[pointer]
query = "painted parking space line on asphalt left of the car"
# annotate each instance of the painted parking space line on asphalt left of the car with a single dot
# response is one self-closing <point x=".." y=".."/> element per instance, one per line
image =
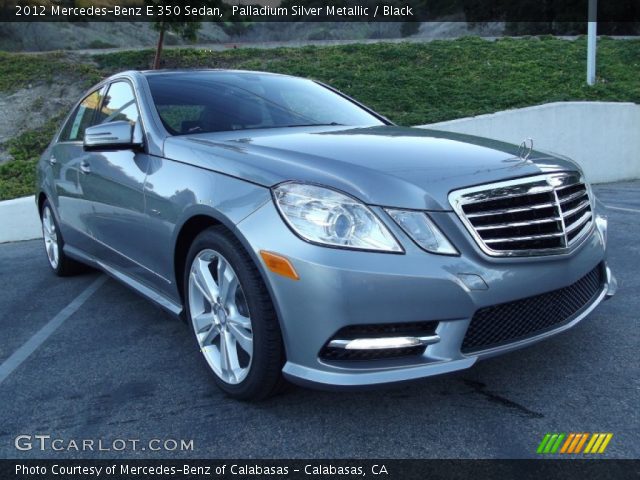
<point x="20" y="355"/>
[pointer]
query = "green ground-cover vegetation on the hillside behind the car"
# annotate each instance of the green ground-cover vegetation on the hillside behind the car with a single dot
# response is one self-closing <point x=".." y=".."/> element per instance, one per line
<point x="411" y="83"/>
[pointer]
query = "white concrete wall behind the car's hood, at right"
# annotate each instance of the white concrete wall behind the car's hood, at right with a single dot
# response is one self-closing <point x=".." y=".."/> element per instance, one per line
<point x="603" y="137"/>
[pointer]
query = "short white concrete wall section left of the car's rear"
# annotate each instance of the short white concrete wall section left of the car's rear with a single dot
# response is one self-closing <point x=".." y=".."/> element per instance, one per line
<point x="19" y="220"/>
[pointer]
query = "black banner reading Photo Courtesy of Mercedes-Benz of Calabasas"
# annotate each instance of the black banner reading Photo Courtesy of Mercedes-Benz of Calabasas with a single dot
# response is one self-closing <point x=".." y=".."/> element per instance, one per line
<point x="320" y="469"/>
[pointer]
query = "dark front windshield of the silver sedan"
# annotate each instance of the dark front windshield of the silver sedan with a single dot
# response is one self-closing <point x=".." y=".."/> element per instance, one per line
<point x="198" y="102"/>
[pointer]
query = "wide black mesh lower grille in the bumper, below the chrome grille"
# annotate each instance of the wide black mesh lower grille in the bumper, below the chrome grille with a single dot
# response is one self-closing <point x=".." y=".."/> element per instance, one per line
<point x="508" y="322"/>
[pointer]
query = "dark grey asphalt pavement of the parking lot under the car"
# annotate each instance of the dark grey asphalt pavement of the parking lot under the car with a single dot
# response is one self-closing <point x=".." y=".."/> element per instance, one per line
<point x="119" y="368"/>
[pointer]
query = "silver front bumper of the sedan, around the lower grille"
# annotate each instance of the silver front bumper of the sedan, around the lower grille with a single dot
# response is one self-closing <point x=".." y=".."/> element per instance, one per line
<point x="340" y="288"/>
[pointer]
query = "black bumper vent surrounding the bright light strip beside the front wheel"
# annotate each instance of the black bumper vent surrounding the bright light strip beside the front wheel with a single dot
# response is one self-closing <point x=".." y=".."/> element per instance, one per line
<point x="417" y="329"/>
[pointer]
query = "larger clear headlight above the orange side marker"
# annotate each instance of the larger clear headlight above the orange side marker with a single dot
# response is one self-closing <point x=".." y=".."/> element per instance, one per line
<point x="324" y="216"/>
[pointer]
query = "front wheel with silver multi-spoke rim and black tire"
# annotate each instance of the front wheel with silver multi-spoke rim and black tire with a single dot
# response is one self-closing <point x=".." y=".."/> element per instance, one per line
<point x="223" y="323"/>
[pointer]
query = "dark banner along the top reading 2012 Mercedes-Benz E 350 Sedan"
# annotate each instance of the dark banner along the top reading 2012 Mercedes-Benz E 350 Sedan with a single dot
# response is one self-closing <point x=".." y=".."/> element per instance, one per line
<point x="476" y="11"/>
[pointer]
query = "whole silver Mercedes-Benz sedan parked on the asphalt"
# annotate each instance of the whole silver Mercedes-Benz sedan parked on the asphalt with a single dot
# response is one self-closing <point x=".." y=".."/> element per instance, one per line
<point x="303" y="236"/>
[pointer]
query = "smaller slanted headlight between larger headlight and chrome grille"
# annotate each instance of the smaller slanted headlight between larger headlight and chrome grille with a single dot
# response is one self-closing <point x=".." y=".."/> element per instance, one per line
<point x="423" y="231"/>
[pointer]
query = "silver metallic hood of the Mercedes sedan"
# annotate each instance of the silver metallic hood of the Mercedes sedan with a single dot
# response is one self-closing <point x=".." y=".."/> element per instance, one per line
<point x="384" y="165"/>
